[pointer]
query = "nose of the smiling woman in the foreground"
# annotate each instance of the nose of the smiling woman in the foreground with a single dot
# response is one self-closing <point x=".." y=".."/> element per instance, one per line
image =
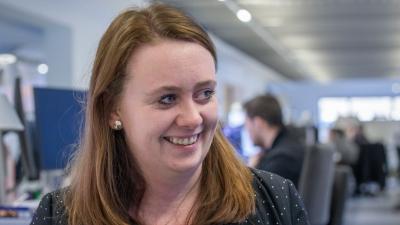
<point x="189" y="115"/>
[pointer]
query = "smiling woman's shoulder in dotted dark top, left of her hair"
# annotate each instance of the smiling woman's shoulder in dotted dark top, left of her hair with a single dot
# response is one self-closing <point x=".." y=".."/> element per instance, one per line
<point x="51" y="209"/>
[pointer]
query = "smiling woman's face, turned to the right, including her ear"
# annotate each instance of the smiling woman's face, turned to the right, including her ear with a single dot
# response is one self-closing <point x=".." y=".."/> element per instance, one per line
<point x="168" y="108"/>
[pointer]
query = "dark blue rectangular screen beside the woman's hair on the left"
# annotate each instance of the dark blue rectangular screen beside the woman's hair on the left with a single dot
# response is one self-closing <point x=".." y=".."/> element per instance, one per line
<point x="59" y="118"/>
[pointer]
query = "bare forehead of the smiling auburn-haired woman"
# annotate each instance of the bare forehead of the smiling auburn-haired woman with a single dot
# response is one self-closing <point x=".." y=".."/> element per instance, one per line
<point x="169" y="61"/>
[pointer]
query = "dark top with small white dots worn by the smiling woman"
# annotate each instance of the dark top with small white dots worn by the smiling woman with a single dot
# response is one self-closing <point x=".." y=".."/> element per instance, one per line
<point x="277" y="203"/>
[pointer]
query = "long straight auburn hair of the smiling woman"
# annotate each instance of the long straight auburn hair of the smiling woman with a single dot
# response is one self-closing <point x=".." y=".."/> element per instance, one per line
<point x="105" y="179"/>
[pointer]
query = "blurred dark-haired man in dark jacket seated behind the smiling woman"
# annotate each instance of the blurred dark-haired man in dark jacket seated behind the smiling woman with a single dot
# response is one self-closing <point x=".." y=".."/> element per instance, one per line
<point x="283" y="152"/>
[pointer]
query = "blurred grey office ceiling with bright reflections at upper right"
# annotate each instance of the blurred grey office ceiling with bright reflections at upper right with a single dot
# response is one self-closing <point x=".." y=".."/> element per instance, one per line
<point x="320" y="40"/>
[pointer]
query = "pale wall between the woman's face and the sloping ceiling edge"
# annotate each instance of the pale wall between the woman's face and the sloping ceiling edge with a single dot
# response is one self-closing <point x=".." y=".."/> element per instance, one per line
<point x="244" y="76"/>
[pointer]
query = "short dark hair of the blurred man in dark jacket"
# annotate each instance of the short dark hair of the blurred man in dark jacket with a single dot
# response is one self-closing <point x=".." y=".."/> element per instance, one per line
<point x="266" y="107"/>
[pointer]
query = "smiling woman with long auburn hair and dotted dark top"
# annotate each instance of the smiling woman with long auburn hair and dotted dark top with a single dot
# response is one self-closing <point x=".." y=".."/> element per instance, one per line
<point x="152" y="152"/>
